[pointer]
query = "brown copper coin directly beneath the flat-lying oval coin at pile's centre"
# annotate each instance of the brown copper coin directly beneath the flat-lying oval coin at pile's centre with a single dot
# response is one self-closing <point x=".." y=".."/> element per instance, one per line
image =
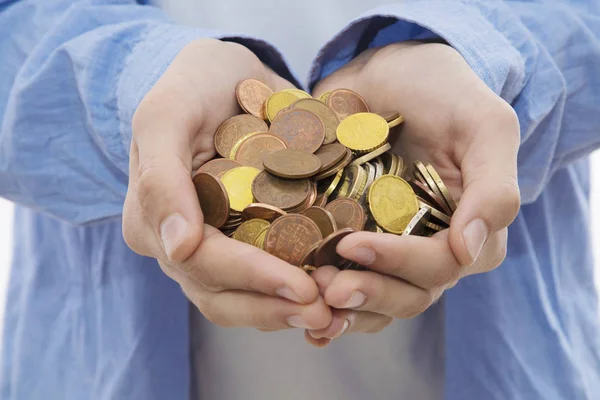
<point x="282" y="193"/>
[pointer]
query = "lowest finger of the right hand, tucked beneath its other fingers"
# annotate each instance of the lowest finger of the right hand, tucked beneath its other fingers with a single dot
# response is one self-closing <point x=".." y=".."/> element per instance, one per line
<point x="349" y="321"/>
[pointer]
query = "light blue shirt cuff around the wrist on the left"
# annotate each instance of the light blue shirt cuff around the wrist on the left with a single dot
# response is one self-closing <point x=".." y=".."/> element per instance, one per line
<point x="154" y="52"/>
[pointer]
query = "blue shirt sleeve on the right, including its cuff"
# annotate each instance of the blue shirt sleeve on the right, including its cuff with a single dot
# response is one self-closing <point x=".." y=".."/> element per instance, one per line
<point x="543" y="57"/>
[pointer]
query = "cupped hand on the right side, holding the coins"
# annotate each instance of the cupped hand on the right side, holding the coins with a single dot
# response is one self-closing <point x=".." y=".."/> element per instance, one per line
<point x="471" y="136"/>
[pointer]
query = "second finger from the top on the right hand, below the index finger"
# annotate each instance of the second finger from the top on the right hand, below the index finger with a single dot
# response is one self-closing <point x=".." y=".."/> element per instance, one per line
<point x="381" y="294"/>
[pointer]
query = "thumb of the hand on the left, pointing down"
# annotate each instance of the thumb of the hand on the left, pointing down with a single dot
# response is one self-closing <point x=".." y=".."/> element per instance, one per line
<point x="165" y="192"/>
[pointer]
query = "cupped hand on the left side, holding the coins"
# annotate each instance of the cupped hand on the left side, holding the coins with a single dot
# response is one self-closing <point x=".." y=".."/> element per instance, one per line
<point x="231" y="283"/>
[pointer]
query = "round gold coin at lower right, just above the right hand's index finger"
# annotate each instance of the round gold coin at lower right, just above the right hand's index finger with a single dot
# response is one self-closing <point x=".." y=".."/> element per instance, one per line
<point x="392" y="203"/>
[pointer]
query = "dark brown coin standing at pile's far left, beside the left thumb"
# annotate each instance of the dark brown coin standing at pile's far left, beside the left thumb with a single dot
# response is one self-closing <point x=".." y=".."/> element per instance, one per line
<point x="213" y="198"/>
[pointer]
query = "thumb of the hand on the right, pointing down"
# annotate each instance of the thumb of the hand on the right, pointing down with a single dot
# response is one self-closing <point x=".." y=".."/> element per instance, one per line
<point x="491" y="198"/>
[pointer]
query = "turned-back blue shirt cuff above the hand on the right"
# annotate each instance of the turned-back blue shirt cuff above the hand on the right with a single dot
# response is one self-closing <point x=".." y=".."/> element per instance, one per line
<point x="469" y="27"/>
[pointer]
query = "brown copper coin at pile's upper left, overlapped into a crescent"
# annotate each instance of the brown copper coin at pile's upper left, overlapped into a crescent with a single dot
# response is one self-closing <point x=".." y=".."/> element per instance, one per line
<point x="235" y="128"/>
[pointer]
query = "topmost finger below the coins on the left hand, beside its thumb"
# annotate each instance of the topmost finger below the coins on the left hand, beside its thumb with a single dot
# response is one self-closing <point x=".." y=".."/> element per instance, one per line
<point x="221" y="263"/>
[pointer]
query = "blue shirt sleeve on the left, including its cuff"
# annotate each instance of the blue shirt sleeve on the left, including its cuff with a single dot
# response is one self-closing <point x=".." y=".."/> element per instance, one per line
<point x="72" y="74"/>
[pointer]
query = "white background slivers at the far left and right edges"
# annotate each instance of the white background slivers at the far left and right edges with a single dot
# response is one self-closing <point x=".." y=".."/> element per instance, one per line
<point x="6" y="227"/>
